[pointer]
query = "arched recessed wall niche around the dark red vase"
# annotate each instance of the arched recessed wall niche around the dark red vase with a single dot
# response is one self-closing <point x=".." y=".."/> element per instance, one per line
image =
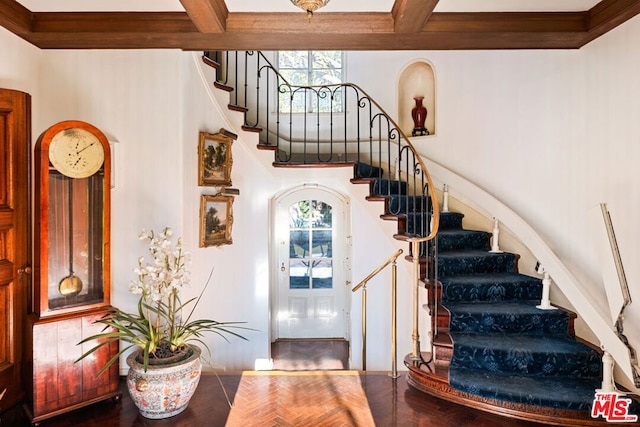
<point x="417" y="79"/>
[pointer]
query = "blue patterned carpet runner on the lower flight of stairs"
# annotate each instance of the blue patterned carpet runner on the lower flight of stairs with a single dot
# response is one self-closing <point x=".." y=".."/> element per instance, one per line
<point x="504" y="347"/>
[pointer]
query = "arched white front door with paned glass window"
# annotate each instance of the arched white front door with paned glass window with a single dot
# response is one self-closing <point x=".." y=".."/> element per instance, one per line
<point x="312" y="259"/>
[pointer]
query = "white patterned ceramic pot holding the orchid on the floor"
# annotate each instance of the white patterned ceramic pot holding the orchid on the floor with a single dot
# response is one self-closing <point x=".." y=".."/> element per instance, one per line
<point x="164" y="390"/>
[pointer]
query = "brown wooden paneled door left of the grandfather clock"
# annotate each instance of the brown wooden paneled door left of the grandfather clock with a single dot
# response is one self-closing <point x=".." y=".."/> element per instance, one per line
<point x="15" y="238"/>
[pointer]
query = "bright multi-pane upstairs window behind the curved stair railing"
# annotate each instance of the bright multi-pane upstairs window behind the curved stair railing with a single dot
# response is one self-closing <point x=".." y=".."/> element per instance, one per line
<point x="311" y="68"/>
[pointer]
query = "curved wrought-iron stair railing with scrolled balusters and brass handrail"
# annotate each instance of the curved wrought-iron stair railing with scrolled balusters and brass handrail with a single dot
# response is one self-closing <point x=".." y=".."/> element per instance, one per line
<point x="344" y="126"/>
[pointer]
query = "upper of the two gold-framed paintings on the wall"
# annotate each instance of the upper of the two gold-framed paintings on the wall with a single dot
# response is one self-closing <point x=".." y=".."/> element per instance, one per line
<point x="215" y="158"/>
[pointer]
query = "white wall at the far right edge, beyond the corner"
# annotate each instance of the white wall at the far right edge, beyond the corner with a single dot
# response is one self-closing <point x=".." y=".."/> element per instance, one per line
<point x="612" y="67"/>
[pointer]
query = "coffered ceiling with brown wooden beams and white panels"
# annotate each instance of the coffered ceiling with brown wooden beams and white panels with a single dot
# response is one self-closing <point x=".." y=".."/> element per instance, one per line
<point x="342" y="24"/>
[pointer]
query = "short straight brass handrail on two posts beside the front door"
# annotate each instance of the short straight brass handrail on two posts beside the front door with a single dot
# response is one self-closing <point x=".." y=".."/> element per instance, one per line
<point x="394" y="316"/>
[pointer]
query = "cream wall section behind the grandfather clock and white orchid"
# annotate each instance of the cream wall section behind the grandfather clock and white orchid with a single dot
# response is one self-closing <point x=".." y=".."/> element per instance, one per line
<point x="131" y="97"/>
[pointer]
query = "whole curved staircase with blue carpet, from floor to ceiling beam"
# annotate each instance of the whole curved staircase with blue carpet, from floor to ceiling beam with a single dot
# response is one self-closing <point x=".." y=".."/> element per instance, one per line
<point x="493" y="349"/>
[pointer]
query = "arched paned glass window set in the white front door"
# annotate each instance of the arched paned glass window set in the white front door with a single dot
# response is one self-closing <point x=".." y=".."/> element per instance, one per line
<point x="310" y="245"/>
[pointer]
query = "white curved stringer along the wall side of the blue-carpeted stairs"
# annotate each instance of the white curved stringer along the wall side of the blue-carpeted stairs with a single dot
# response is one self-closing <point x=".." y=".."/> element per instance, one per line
<point x="598" y="322"/>
